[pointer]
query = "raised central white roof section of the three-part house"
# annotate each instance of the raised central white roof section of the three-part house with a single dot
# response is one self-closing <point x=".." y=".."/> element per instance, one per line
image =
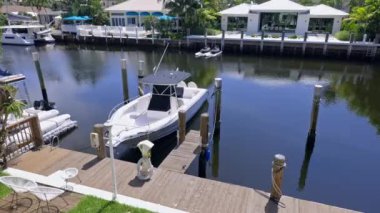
<point x="279" y="6"/>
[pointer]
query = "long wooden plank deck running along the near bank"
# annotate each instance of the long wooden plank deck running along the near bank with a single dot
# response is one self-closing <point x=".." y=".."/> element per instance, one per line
<point x="169" y="188"/>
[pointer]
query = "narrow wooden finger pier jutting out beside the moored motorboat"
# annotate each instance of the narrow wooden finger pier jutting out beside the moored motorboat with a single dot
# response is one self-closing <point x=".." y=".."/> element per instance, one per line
<point x="180" y="158"/>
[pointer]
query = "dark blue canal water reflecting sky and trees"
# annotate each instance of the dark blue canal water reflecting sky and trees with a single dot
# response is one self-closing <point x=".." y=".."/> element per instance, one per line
<point x="266" y="105"/>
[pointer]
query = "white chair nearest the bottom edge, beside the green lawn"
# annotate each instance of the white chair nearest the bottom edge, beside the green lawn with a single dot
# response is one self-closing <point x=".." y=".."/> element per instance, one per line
<point x="47" y="194"/>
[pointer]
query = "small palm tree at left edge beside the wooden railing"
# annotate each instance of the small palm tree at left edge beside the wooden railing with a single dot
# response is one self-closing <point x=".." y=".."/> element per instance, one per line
<point x="8" y="105"/>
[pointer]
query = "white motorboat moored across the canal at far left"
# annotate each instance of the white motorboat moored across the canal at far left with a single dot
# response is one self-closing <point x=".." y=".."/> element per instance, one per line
<point x="26" y="35"/>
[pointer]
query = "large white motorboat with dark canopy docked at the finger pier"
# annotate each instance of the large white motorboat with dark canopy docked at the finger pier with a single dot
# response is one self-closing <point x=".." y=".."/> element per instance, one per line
<point x="155" y="114"/>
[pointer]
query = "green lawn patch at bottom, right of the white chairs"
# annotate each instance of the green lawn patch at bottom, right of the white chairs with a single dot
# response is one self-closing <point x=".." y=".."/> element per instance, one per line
<point x="92" y="204"/>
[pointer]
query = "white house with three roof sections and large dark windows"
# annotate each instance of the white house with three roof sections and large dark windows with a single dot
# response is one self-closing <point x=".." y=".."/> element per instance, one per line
<point x="278" y="16"/>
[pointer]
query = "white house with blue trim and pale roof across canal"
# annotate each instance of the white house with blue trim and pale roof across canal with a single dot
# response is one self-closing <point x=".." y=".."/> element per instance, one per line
<point x="133" y="12"/>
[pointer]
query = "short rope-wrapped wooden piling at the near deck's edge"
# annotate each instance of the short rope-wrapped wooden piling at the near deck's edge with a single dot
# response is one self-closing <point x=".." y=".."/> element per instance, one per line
<point x="278" y="166"/>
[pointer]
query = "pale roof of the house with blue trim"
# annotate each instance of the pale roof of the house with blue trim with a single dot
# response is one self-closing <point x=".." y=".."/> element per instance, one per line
<point x="138" y="5"/>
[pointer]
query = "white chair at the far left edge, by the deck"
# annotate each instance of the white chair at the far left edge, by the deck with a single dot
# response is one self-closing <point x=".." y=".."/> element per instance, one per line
<point x="18" y="185"/>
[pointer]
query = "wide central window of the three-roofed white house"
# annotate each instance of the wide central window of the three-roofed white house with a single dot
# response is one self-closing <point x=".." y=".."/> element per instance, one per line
<point x="278" y="22"/>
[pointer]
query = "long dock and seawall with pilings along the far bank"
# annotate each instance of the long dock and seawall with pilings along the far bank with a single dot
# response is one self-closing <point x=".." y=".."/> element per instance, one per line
<point x="314" y="46"/>
